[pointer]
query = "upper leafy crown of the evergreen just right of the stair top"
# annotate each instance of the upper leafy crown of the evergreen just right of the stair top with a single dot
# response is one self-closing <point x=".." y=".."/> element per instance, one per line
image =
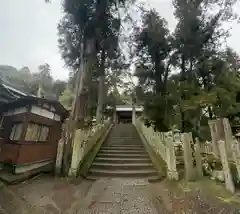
<point x="152" y="51"/>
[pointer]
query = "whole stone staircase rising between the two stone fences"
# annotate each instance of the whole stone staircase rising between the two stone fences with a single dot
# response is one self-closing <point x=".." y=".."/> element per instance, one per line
<point x="122" y="155"/>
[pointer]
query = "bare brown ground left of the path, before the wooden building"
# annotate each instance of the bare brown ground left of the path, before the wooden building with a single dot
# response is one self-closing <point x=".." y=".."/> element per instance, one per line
<point x="44" y="194"/>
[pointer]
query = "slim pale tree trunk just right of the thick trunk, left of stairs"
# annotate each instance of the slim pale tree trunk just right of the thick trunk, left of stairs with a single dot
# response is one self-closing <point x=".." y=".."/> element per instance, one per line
<point x="101" y="90"/>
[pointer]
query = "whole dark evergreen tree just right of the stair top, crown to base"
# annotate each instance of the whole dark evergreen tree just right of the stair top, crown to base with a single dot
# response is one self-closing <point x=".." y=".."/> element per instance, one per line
<point x="153" y="54"/>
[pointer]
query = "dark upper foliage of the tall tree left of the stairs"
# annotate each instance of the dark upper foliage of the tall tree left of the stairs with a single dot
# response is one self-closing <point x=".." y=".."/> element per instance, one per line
<point x="88" y="19"/>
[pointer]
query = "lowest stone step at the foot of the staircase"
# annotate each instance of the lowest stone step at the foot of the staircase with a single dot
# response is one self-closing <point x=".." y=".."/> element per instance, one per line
<point x="123" y="173"/>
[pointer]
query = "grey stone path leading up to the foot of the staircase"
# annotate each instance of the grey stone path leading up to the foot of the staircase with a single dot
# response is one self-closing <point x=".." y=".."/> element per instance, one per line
<point x="117" y="196"/>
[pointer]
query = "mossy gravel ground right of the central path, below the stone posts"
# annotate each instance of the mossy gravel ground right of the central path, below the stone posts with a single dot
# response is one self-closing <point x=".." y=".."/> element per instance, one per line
<point x="198" y="197"/>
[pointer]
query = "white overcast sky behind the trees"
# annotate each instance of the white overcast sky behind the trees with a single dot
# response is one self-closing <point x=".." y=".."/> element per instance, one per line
<point x="28" y="35"/>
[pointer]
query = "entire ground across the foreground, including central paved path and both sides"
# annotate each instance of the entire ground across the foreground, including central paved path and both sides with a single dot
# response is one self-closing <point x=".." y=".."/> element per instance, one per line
<point x="53" y="195"/>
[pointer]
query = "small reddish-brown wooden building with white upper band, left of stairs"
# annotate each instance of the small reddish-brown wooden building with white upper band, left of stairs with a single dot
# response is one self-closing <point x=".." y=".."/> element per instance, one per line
<point x="31" y="128"/>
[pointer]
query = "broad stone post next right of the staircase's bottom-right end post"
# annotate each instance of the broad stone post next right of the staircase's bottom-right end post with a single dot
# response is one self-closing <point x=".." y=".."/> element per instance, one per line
<point x="188" y="158"/>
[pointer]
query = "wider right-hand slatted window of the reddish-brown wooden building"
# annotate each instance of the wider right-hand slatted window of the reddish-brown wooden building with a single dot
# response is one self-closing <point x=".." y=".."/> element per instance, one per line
<point x="37" y="132"/>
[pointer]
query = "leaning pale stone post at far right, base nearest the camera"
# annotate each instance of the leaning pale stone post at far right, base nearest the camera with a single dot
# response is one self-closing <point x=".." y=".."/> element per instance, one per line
<point x="226" y="169"/>
